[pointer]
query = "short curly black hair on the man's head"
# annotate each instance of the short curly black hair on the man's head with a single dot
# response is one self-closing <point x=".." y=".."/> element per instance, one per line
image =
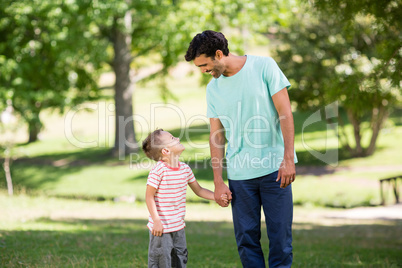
<point x="207" y="42"/>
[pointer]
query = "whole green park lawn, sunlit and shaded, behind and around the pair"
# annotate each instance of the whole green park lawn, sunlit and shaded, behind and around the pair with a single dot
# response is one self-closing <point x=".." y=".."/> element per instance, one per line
<point x="56" y="218"/>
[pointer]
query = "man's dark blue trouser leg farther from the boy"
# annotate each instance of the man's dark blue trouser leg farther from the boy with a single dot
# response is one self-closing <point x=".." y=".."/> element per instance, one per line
<point x="278" y="209"/>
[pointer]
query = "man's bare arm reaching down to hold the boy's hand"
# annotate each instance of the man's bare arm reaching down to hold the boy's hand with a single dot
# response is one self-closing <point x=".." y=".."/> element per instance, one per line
<point x="217" y="147"/>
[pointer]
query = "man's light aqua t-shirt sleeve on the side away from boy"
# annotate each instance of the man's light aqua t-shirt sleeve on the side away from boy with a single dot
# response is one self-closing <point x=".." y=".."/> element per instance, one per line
<point x="274" y="77"/>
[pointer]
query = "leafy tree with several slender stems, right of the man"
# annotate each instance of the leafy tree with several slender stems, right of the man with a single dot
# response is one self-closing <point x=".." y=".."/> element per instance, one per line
<point x="356" y="64"/>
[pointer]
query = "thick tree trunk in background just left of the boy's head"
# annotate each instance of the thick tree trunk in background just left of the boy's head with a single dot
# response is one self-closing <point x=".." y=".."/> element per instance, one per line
<point x="125" y="141"/>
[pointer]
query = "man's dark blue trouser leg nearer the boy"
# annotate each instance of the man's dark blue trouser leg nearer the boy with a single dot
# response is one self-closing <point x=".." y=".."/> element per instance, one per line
<point x="246" y="210"/>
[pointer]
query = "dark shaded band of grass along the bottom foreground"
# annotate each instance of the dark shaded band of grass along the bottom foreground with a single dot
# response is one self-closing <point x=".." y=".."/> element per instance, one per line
<point x="124" y="243"/>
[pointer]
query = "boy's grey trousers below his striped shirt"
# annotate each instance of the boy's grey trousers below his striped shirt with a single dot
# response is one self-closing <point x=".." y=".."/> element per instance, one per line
<point x="168" y="250"/>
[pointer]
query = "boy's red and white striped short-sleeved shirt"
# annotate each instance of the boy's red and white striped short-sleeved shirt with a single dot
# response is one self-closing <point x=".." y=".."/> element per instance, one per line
<point x="170" y="197"/>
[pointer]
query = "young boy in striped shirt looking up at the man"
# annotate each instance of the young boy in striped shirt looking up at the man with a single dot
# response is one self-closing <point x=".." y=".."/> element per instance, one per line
<point x="166" y="200"/>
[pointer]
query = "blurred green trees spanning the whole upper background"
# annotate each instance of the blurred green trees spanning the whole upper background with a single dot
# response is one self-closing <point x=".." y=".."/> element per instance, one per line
<point x="52" y="53"/>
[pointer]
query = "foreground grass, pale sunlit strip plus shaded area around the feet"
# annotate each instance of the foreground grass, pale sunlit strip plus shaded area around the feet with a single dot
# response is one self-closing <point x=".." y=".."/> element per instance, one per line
<point x="52" y="232"/>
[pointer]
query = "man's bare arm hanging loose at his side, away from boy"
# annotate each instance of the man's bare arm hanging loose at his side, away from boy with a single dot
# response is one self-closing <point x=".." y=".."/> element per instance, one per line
<point x="287" y="170"/>
